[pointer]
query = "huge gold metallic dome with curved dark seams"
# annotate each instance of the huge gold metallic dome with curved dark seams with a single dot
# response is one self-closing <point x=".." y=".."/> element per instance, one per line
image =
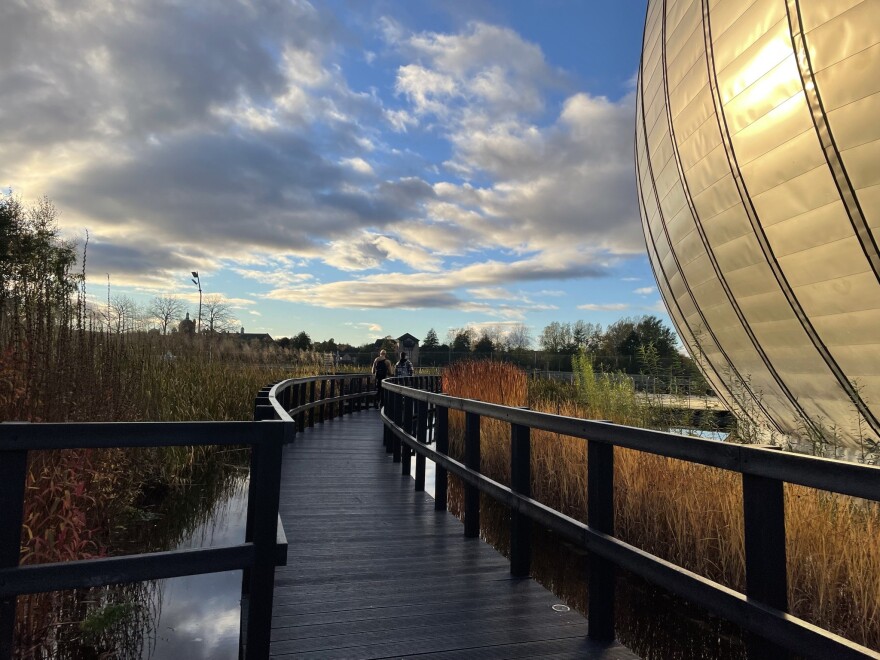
<point x="758" y="166"/>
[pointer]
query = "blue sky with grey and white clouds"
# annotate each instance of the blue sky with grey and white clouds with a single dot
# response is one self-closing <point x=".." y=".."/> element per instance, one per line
<point x="352" y="169"/>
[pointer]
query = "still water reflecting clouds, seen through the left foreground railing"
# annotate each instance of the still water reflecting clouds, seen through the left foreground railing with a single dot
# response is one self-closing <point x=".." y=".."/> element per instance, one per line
<point x="199" y="615"/>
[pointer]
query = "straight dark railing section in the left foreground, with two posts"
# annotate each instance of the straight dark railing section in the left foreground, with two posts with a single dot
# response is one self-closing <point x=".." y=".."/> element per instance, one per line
<point x="264" y="548"/>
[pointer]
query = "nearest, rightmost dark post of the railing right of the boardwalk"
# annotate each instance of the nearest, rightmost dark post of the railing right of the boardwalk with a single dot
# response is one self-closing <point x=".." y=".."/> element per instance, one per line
<point x="764" y="528"/>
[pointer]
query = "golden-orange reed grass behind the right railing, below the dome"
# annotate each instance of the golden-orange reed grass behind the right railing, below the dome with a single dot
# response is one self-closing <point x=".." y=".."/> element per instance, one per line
<point x="685" y="513"/>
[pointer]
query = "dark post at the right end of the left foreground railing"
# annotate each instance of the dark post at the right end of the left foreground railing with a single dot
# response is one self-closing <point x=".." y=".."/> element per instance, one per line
<point x="267" y="475"/>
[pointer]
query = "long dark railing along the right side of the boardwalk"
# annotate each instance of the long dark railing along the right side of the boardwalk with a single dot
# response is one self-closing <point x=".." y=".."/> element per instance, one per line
<point x="416" y="414"/>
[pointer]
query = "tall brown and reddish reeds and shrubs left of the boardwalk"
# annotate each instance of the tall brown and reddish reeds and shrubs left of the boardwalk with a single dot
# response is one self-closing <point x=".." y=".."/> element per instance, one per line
<point x="59" y="362"/>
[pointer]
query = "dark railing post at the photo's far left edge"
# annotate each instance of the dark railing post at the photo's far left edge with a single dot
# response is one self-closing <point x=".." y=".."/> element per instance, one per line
<point x="13" y="473"/>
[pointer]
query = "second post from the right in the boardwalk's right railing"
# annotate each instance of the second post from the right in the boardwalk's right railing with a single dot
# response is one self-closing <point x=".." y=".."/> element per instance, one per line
<point x="600" y="517"/>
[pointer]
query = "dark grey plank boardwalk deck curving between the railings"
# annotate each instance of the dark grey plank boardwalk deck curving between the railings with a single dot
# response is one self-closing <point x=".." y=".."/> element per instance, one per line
<point x="375" y="572"/>
